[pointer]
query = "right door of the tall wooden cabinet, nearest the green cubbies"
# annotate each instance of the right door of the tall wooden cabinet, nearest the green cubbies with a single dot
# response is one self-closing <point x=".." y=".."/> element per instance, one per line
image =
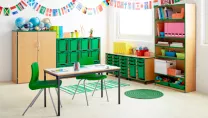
<point x="46" y="53"/>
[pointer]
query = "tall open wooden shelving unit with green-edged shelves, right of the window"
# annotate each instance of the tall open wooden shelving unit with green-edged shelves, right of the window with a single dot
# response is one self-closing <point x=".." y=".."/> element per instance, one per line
<point x="188" y="64"/>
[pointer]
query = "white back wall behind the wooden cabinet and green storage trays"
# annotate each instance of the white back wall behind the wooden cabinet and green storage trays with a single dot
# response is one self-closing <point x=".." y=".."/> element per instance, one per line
<point x="71" y="21"/>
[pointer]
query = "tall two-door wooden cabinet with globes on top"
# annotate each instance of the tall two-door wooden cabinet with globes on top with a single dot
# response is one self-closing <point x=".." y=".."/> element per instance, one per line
<point x="29" y="47"/>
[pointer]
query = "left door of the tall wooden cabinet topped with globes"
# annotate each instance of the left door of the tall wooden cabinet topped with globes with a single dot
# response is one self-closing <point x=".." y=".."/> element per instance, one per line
<point x="27" y="54"/>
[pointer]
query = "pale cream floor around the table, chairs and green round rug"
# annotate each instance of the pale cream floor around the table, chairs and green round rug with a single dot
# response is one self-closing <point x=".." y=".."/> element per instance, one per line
<point x="15" y="98"/>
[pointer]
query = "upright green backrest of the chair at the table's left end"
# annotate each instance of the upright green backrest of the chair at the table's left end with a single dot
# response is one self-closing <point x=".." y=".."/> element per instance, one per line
<point x="35" y="74"/>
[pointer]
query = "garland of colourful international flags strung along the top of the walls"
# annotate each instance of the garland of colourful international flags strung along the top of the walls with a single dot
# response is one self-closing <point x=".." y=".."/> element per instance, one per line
<point x="34" y="4"/>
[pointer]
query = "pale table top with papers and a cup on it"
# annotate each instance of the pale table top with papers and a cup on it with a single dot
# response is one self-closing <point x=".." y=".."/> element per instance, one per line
<point x="96" y="68"/>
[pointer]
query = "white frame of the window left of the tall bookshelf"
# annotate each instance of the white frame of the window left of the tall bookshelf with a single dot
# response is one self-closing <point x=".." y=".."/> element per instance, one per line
<point x="145" y="38"/>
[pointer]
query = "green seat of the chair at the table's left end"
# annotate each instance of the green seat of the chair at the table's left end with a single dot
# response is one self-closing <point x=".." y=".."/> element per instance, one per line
<point x="44" y="84"/>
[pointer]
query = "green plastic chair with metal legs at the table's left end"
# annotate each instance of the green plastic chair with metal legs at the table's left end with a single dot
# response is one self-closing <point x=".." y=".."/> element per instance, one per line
<point x="35" y="84"/>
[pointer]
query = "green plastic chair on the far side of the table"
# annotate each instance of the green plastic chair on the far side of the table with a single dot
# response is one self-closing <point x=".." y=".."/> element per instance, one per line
<point x="89" y="77"/>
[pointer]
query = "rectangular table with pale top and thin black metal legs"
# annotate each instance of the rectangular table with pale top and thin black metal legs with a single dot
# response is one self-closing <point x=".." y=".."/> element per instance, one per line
<point x="67" y="72"/>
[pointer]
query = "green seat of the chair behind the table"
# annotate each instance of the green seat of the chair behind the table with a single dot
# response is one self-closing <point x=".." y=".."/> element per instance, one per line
<point x="92" y="77"/>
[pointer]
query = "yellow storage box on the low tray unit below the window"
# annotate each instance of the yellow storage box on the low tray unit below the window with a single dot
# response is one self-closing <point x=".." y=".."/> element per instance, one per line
<point x="122" y="48"/>
